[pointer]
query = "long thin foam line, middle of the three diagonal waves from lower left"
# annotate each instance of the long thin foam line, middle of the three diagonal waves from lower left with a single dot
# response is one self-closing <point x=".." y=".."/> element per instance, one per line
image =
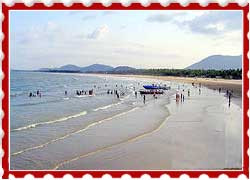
<point x="74" y="132"/>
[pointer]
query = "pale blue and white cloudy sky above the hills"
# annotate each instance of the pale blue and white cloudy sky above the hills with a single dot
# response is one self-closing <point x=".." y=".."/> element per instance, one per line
<point x="141" y="39"/>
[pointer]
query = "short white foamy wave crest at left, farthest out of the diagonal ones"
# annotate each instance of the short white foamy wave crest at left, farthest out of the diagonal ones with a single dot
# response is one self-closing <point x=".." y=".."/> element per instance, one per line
<point x="50" y="122"/>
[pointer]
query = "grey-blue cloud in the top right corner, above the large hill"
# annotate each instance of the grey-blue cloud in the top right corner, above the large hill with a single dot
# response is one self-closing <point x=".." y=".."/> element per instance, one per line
<point x="214" y="23"/>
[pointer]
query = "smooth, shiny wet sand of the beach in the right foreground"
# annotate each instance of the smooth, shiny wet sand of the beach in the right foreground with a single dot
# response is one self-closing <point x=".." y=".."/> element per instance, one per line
<point x="200" y="133"/>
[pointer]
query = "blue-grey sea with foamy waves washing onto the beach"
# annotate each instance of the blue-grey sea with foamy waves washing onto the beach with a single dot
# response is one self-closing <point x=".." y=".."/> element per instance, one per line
<point x="48" y="129"/>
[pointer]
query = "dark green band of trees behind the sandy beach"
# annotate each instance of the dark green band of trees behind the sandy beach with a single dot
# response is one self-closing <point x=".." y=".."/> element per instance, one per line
<point x="226" y="74"/>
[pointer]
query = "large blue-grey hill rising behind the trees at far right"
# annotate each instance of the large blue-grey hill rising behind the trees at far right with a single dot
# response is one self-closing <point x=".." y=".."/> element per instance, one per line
<point x="218" y="62"/>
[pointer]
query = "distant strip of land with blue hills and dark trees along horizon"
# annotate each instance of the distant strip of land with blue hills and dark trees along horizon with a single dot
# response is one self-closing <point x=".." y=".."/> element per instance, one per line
<point x="228" y="67"/>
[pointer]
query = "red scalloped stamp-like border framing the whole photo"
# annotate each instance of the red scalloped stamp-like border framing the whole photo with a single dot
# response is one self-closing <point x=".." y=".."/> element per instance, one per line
<point x="119" y="6"/>
